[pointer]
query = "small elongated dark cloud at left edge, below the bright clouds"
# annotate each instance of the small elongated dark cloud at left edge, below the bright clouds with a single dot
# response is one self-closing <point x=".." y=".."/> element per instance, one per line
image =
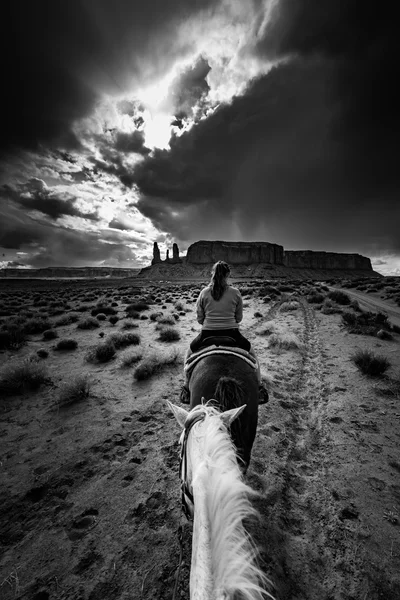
<point x="35" y="195"/>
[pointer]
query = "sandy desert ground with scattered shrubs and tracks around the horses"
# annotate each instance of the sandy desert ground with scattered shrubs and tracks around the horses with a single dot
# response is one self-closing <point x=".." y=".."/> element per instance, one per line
<point x="90" y="498"/>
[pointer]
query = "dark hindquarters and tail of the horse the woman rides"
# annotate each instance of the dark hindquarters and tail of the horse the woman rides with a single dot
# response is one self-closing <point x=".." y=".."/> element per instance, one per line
<point x="231" y="382"/>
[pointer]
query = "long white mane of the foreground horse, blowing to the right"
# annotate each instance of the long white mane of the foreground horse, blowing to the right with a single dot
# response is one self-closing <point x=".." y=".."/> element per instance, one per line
<point x="234" y="562"/>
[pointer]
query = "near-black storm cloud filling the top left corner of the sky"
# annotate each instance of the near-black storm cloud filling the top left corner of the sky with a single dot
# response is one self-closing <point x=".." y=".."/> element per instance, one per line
<point x="59" y="55"/>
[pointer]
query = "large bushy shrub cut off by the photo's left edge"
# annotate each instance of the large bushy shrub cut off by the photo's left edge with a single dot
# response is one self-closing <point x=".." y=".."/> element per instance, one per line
<point x="24" y="374"/>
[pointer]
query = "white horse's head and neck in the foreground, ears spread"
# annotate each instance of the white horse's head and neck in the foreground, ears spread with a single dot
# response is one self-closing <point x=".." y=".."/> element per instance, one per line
<point x="224" y="562"/>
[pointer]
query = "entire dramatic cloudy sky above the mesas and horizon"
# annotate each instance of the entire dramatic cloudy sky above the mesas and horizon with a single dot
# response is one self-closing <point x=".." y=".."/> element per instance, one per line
<point x="127" y="123"/>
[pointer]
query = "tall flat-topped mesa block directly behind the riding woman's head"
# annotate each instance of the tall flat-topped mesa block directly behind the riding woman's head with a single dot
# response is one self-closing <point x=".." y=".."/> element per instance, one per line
<point x="235" y="253"/>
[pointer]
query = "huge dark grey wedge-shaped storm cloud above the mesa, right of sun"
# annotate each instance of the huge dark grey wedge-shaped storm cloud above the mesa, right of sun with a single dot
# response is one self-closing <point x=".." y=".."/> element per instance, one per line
<point x="275" y="162"/>
